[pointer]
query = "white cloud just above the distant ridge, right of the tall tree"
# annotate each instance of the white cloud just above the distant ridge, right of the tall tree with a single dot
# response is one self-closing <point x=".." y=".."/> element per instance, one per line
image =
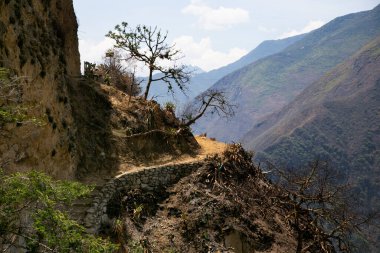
<point x="202" y="54"/>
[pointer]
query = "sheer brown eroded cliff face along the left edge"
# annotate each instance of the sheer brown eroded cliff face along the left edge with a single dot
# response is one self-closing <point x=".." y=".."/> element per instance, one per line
<point x="38" y="41"/>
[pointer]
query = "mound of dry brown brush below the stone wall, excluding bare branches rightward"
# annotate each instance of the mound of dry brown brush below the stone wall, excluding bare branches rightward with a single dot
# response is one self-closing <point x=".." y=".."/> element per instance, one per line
<point x="220" y="208"/>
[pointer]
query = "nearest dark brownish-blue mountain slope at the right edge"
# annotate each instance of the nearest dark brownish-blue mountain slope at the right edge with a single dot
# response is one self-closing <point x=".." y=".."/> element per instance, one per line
<point x="336" y="118"/>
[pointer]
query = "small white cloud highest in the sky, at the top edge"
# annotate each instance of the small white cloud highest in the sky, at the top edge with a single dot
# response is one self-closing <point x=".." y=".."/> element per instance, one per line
<point x="218" y="18"/>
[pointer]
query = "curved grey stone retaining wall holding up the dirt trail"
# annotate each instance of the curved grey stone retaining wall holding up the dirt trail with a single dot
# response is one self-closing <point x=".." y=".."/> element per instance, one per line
<point x="148" y="179"/>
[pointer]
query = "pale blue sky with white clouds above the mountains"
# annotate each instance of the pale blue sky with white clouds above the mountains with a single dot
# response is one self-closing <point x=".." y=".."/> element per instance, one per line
<point x="210" y="33"/>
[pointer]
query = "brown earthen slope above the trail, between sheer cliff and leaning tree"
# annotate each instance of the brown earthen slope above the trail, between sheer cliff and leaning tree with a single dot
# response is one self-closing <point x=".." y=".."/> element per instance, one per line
<point x="120" y="131"/>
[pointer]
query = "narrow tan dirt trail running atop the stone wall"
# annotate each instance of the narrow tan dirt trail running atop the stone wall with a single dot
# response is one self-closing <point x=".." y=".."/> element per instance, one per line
<point x="209" y="147"/>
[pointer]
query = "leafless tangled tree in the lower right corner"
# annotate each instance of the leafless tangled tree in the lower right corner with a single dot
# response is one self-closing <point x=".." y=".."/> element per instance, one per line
<point x="321" y="209"/>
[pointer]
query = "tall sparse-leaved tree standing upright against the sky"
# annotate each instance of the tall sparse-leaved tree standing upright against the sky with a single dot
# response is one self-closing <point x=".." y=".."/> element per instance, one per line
<point x="148" y="45"/>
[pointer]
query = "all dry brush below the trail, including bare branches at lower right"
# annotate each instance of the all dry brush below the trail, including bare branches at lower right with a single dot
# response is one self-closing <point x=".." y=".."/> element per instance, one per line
<point x="228" y="205"/>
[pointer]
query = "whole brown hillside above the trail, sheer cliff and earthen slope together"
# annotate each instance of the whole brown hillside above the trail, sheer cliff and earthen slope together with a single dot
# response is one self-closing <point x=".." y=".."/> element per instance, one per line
<point x="86" y="127"/>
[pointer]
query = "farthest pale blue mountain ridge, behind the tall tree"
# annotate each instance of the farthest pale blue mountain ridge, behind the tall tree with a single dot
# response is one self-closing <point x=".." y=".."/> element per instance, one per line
<point x="201" y="81"/>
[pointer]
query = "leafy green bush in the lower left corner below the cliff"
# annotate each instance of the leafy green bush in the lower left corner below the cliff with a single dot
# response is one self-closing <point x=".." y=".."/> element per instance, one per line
<point x="29" y="210"/>
